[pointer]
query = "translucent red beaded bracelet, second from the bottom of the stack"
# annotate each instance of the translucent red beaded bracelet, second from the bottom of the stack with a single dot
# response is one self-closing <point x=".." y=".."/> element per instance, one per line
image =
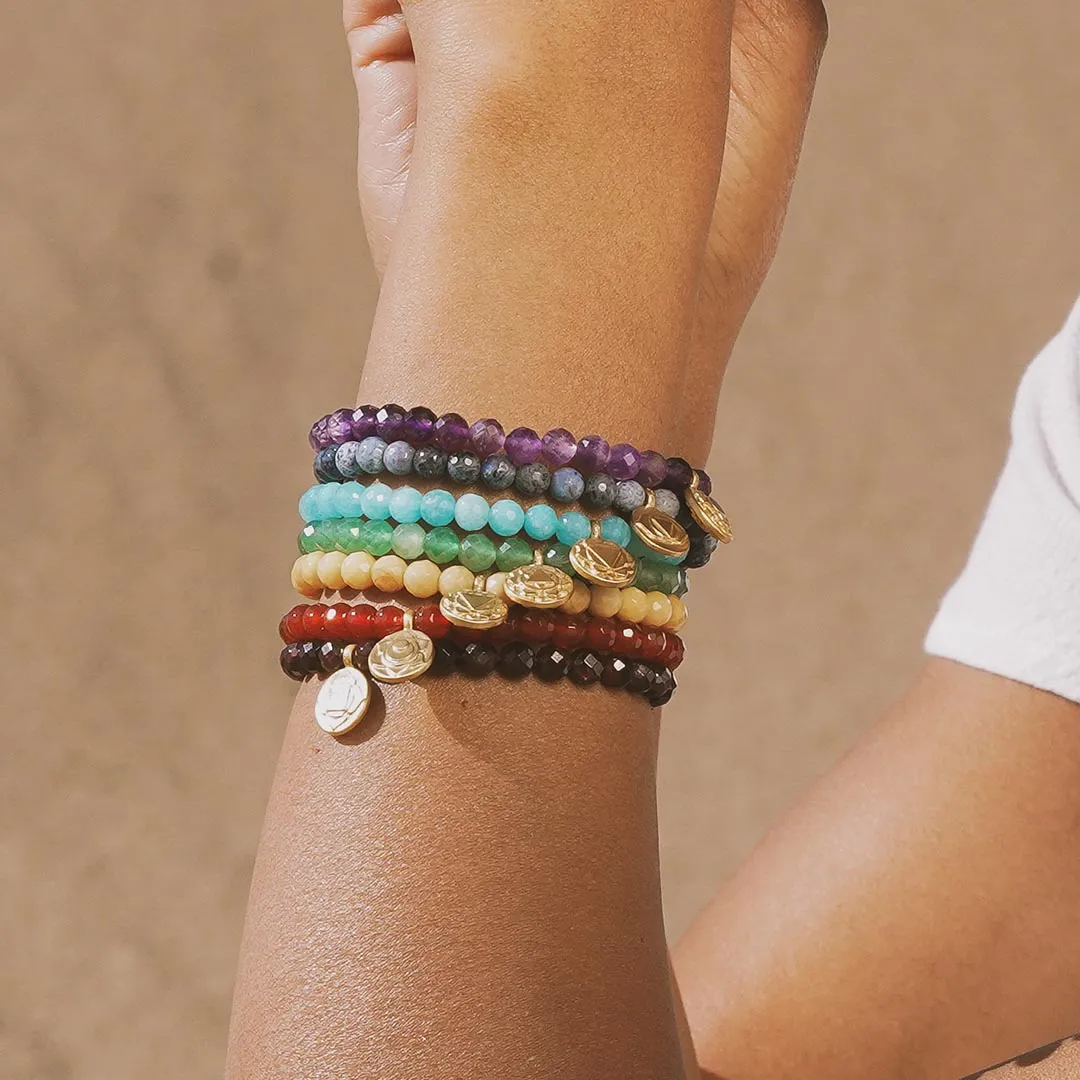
<point x="364" y="623"/>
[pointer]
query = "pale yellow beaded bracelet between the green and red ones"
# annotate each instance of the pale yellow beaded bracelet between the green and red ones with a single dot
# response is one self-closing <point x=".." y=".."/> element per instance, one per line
<point x="317" y="573"/>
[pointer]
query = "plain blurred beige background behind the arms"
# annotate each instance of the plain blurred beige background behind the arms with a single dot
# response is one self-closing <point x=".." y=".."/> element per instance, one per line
<point x="184" y="287"/>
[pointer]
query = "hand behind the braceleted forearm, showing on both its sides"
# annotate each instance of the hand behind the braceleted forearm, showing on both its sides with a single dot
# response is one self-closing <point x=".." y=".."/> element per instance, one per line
<point x="776" y="48"/>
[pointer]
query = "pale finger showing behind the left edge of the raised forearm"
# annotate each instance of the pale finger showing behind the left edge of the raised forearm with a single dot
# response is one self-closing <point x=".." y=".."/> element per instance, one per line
<point x="385" y="76"/>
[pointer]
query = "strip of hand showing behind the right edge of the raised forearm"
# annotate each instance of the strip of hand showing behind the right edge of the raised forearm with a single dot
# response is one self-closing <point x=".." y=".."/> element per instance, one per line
<point x="776" y="50"/>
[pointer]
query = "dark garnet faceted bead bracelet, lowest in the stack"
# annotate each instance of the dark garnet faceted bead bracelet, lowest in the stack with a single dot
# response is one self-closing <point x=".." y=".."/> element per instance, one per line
<point x="655" y="683"/>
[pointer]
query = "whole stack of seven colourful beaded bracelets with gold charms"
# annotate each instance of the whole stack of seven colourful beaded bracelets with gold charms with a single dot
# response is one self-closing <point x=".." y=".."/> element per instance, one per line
<point x="510" y="604"/>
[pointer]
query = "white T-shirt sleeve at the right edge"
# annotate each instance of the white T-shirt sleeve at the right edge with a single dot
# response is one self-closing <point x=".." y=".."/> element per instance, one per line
<point x="1016" y="609"/>
